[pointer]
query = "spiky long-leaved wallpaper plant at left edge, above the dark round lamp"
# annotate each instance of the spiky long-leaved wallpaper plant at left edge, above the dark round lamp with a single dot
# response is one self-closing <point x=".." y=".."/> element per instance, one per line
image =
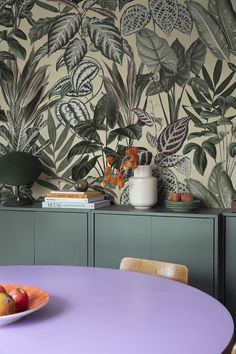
<point x="26" y="101"/>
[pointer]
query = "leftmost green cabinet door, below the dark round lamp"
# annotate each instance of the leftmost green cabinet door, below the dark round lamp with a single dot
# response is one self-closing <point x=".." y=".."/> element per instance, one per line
<point x="16" y="237"/>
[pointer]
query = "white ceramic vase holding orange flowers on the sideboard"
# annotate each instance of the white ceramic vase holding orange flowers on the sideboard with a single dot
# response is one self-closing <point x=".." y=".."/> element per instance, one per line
<point x="143" y="188"/>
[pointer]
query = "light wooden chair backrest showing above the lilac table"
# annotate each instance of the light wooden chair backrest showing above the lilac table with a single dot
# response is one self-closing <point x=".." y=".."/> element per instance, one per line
<point x="178" y="272"/>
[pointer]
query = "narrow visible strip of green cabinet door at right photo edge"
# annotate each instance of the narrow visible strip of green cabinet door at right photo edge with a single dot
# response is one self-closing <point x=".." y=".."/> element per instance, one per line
<point x="230" y="264"/>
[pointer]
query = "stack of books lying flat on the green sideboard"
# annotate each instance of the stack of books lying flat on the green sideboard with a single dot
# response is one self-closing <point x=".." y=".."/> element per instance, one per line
<point x="73" y="199"/>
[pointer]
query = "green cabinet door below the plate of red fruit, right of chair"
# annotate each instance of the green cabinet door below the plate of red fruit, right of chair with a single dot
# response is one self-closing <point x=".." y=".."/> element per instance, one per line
<point x="189" y="241"/>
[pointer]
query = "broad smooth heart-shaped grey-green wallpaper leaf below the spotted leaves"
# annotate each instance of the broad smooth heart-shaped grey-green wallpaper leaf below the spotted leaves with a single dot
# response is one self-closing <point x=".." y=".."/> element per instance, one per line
<point x="155" y="51"/>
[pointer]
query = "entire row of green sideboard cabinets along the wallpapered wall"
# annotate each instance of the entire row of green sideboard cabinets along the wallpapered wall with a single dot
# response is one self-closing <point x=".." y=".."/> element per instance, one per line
<point x="33" y="235"/>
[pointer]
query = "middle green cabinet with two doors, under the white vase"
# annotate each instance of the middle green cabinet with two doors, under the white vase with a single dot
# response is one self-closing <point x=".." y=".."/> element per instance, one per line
<point x="188" y="238"/>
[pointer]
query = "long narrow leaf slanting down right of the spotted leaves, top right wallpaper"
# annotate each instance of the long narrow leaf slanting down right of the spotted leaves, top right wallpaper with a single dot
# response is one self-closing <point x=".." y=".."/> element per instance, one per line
<point x="209" y="30"/>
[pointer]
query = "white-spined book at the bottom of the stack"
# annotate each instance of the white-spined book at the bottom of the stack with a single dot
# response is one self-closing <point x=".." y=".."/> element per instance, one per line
<point x="95" y="205"/>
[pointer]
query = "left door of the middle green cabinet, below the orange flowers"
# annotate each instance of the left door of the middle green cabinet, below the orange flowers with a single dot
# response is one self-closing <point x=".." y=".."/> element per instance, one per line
<point x="118" y="236"/>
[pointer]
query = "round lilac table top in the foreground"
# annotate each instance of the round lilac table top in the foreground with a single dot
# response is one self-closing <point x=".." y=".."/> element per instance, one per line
<point x="104" y="311"/>
